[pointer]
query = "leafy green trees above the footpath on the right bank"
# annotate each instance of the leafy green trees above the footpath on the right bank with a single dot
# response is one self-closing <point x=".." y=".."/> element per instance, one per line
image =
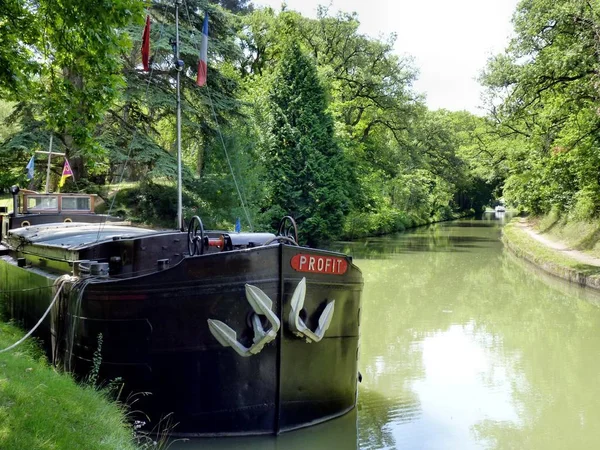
<point x="544" y="98"/>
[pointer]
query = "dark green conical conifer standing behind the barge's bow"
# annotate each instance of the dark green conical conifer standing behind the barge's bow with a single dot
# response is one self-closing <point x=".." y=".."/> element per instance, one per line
<point x="306" y="168"/>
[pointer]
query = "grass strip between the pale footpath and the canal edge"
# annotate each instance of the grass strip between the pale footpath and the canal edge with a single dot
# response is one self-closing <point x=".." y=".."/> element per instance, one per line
<point x="552" y="261"/>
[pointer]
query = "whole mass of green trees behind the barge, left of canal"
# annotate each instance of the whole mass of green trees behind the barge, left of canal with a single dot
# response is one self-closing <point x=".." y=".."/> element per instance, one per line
<point x="301" y="116"/>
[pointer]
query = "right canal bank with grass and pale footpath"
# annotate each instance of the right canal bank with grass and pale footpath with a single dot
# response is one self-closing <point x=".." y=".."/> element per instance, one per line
<point x="566" y="250"/>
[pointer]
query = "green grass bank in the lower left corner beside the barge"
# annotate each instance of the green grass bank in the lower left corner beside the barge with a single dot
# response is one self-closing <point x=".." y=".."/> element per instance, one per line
<point x="45" y="410"/>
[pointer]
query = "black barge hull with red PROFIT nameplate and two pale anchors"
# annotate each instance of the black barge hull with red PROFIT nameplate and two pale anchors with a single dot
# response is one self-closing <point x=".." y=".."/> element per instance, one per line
<point x="252" y="341"/>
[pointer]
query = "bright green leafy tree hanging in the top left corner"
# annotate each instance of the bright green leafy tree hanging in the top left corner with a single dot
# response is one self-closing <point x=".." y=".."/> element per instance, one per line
<point x="68" y="69"/>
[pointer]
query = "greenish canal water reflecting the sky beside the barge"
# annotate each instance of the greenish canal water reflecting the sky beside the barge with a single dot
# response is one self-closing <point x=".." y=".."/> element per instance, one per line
<point x="463" y="346"/>
